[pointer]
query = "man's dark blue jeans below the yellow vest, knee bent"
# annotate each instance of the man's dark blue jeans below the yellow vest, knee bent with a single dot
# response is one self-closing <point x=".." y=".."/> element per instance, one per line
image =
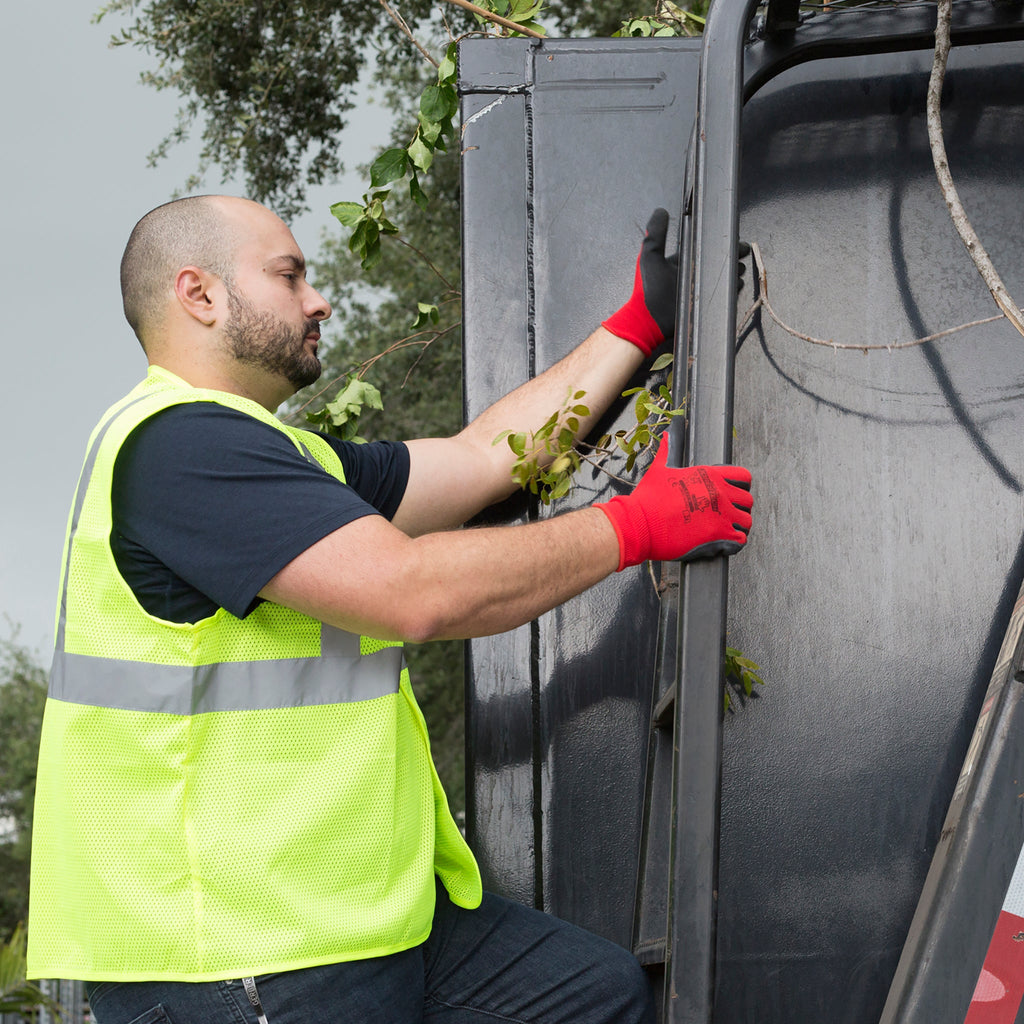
<point x="501" y="963"/>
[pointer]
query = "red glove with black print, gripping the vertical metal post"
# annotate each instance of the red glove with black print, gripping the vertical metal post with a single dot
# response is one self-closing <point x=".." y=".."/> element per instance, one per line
<point x="688" y="514"/>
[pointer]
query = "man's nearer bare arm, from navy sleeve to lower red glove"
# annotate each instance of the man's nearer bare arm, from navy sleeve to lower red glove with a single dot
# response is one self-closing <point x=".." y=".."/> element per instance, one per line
<point x="448" y="585"/>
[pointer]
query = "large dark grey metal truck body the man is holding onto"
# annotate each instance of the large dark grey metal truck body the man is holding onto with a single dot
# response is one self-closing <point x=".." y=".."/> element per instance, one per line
<point x="841" y="844"/>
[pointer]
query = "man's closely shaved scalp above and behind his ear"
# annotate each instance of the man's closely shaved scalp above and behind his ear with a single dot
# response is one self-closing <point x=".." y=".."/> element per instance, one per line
<point x="199" y="232"/>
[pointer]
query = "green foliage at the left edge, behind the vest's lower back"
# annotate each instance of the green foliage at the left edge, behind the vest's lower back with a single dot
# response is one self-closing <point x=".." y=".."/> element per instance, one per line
<point x="23" y="694"/>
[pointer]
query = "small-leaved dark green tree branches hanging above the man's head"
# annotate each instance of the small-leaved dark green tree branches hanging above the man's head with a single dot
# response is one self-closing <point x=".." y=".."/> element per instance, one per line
<point x="270" y="81"/>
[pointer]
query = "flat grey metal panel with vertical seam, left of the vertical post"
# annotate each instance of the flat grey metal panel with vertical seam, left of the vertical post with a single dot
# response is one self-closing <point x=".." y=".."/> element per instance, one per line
<point x="567" y="152"/>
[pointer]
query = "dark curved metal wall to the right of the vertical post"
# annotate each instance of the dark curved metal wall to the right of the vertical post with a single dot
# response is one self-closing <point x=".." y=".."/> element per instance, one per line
<point x="889" y="518"/>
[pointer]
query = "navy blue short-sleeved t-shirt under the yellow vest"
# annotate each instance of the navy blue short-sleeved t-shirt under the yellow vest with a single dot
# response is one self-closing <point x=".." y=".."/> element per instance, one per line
<point x="209" y="504"/>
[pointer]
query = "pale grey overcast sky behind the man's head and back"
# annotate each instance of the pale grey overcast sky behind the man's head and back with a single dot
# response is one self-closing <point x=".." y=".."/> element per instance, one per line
<point x="77" y="127"/>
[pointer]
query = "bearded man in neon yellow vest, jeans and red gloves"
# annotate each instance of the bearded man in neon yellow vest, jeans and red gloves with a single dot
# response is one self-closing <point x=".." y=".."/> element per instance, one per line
<point x="237" y="814"/>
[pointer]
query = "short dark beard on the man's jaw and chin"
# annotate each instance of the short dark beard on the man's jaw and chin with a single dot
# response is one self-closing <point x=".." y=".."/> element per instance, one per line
<point x="261" y="339"/>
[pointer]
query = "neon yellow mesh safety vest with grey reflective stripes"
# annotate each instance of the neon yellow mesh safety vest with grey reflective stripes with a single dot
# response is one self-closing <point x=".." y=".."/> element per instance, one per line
<point x="227" y="798"/>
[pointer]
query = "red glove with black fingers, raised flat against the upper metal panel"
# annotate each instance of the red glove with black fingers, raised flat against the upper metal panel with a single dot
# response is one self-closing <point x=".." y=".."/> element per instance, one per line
<point x="650" y="316"/>
